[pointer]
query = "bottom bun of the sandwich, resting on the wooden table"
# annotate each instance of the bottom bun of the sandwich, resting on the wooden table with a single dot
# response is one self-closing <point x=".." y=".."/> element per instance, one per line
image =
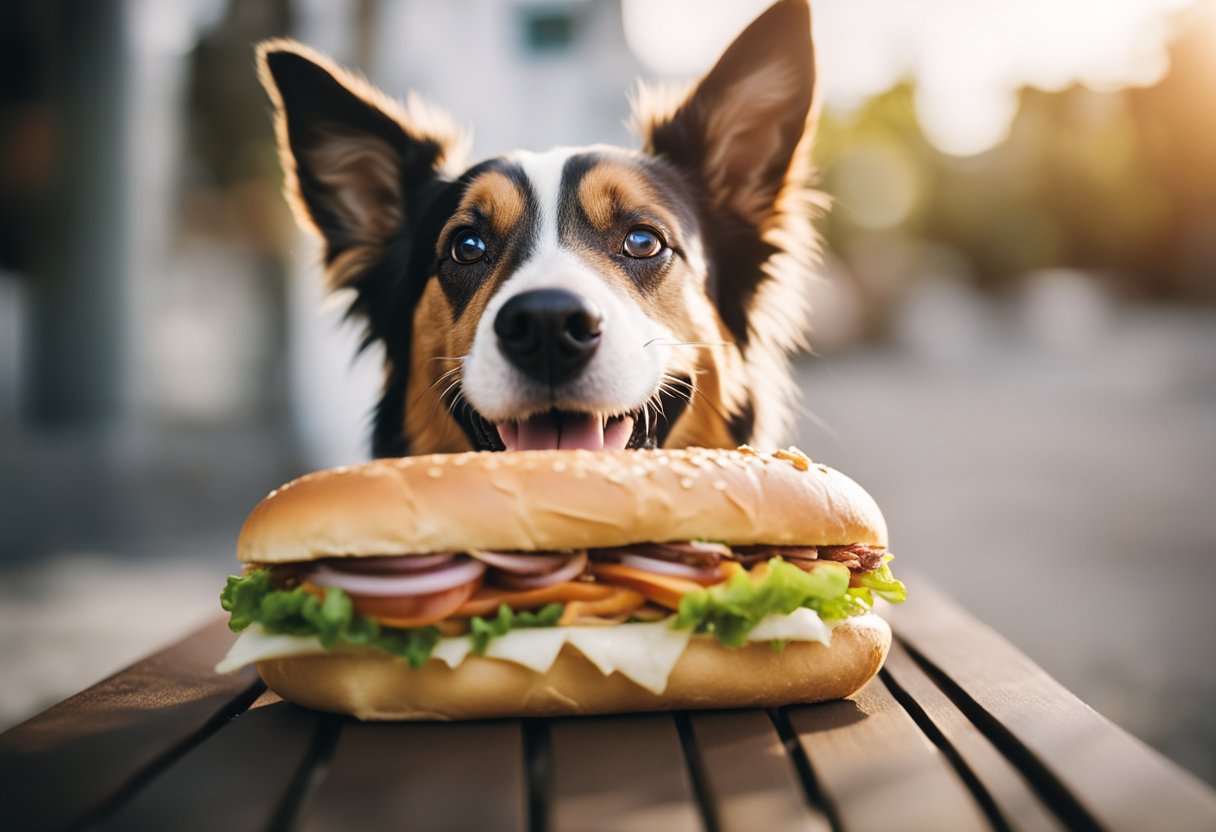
<point x="374" y="685"/>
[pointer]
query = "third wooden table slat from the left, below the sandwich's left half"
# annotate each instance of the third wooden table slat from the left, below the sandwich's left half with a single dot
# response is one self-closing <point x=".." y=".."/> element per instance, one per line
<point x="423" y="777"/>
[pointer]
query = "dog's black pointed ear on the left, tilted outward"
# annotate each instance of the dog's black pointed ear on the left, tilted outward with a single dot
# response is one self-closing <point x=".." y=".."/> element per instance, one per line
<point x="357" y="165"/>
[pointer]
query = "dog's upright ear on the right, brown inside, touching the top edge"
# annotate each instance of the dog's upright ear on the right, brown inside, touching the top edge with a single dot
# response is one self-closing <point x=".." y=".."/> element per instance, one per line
<point x="740" y="128"/>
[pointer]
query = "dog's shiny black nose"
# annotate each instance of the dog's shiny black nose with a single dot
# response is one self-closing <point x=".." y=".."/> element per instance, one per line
<point x="549" y="334"/>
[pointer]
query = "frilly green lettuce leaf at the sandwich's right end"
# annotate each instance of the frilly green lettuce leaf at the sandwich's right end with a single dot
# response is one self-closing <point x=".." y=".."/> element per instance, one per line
<point x="731" y="610"/>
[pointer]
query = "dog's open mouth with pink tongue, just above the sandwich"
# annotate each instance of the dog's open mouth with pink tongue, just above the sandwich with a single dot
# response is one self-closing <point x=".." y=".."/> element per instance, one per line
<point x="639" y="430"/>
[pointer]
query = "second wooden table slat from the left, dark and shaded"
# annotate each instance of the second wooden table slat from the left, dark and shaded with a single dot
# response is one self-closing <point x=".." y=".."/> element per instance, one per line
<point x="238" y="779"/>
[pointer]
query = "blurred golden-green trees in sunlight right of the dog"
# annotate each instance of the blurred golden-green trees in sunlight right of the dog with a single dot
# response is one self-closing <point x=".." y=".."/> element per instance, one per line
<point x="1122" y="185"/>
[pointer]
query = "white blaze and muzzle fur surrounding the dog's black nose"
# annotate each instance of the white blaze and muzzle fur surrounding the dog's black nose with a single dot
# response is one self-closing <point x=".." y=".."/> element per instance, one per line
<point x="628" y="366"/>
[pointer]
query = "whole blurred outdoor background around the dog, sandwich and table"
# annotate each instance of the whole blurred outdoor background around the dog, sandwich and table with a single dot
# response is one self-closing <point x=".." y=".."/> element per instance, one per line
<point x="1015" y="334"/>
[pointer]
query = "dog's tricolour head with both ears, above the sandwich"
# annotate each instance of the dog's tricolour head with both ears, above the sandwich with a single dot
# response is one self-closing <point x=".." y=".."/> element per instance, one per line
<point x="589" y="297"/>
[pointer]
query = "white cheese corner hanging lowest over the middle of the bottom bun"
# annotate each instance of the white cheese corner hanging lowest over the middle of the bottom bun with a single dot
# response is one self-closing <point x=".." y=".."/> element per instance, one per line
<point x="644" y="654"/>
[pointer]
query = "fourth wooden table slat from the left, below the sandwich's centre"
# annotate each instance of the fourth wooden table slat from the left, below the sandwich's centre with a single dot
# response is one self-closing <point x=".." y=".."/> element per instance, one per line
<point x="620" y="773"/>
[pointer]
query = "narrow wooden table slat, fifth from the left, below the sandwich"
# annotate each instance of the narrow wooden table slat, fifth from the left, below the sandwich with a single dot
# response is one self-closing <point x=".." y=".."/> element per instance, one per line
<point x="750" y="777"/>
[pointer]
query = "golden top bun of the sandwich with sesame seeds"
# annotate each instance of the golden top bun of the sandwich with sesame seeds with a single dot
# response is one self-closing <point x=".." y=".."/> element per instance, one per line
<point x="560" y="499"/>
